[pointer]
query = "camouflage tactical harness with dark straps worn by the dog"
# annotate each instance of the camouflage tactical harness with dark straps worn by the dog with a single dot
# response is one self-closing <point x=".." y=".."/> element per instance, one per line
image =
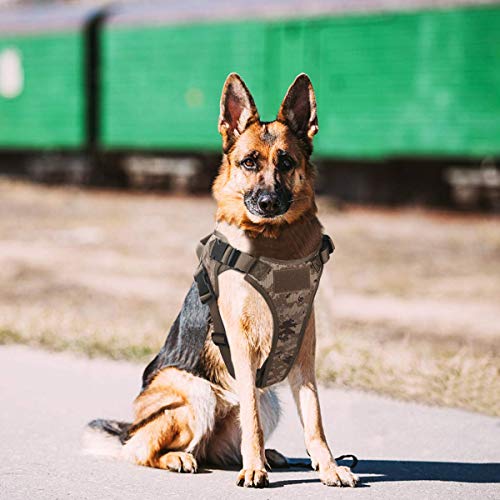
<point x="287" y="286"/>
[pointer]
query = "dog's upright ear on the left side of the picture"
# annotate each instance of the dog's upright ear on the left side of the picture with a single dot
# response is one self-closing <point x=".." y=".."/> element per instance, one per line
<point x="237" y="110"/>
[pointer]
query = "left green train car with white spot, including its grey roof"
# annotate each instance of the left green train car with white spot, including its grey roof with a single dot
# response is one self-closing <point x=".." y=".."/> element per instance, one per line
<point x="43" y="94"/>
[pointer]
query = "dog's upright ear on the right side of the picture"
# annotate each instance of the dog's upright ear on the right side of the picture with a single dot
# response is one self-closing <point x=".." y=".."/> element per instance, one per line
<point x="298" y="109"/>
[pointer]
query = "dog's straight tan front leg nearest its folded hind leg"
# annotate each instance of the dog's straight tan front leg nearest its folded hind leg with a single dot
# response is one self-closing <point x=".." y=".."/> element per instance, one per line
<point x="253" y="474"/>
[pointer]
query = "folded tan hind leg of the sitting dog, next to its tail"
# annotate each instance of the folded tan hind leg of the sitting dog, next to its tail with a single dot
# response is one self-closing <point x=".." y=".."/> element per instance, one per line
<point x="175" y="416"/>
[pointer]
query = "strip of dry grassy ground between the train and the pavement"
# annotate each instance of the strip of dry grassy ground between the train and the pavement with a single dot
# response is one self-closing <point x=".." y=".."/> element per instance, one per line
<point x="409" y="306"/>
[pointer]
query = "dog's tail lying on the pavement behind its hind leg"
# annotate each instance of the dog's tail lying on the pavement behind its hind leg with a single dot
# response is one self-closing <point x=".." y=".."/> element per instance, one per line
<point x="104" y="437"/>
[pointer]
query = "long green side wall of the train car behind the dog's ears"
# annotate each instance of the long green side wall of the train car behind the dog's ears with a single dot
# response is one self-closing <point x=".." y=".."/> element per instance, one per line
<point x="424" y="83"/>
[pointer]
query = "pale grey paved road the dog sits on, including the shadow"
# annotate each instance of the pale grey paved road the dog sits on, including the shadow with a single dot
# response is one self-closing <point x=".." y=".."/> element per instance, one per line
<point x="407" y="451"/>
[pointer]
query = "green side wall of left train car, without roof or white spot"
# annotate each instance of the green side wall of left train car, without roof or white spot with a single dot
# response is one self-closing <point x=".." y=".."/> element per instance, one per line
<point x="50" y="112"/>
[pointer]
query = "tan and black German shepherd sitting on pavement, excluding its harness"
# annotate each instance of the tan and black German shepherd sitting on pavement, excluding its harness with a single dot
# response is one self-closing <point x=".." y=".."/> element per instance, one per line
<point x="265" y="207"/>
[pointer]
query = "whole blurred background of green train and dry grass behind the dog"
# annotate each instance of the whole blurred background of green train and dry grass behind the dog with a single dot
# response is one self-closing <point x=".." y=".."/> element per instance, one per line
<point x="109" y="145"/>
